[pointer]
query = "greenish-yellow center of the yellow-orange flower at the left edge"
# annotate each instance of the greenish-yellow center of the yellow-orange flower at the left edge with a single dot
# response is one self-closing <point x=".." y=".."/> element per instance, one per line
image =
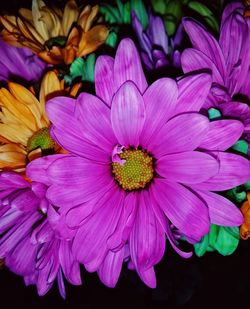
<point x="41" y="139"/>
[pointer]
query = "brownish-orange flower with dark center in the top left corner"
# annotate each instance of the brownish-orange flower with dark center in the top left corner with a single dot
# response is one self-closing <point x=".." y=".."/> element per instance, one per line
<point x="57" y="36"/>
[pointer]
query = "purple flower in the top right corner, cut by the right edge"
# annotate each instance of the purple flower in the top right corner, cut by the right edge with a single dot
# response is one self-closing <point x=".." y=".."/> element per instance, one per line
<point x="228" y="59"/>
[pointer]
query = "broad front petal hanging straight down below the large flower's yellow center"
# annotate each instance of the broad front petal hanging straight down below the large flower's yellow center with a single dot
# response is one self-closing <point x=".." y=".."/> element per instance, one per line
<point x="147" y="239"/>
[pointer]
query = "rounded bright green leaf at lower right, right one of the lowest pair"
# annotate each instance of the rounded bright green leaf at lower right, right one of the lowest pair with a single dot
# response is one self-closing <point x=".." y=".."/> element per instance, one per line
<point x="227" y="240"/>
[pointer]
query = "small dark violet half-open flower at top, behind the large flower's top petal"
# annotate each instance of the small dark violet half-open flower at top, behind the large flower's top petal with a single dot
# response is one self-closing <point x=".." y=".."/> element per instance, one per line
<point x="154" y="43"/>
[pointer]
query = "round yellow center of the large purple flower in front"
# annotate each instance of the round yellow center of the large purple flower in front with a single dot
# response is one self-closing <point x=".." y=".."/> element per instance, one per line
<point x="136" y="172"/>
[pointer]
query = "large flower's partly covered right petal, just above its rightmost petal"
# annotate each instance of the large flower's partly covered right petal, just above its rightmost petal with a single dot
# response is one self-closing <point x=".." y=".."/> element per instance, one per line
<point x="222" y="134"/>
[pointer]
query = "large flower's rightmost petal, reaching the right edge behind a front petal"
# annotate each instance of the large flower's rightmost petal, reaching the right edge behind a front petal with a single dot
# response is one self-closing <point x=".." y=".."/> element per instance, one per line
<point x="234" y="171"/>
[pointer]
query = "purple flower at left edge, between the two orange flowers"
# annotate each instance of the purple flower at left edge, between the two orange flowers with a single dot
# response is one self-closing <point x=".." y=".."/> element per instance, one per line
<point x="19" y="62"/>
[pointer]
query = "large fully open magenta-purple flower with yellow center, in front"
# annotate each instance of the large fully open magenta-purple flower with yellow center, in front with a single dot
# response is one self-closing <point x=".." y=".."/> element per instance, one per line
<point x="141" y="159"/>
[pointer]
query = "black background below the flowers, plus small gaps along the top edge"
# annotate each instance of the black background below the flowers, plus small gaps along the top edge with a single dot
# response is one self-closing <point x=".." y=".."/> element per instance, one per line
<point x="211" y="281"/>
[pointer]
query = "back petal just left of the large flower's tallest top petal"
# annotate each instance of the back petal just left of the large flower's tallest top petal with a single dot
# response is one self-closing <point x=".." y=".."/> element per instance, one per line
<point x="104" y="78"/>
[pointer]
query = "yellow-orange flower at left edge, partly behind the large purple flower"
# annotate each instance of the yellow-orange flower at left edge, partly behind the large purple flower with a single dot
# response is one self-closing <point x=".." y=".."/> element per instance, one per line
<point x="24" y="126"/>
